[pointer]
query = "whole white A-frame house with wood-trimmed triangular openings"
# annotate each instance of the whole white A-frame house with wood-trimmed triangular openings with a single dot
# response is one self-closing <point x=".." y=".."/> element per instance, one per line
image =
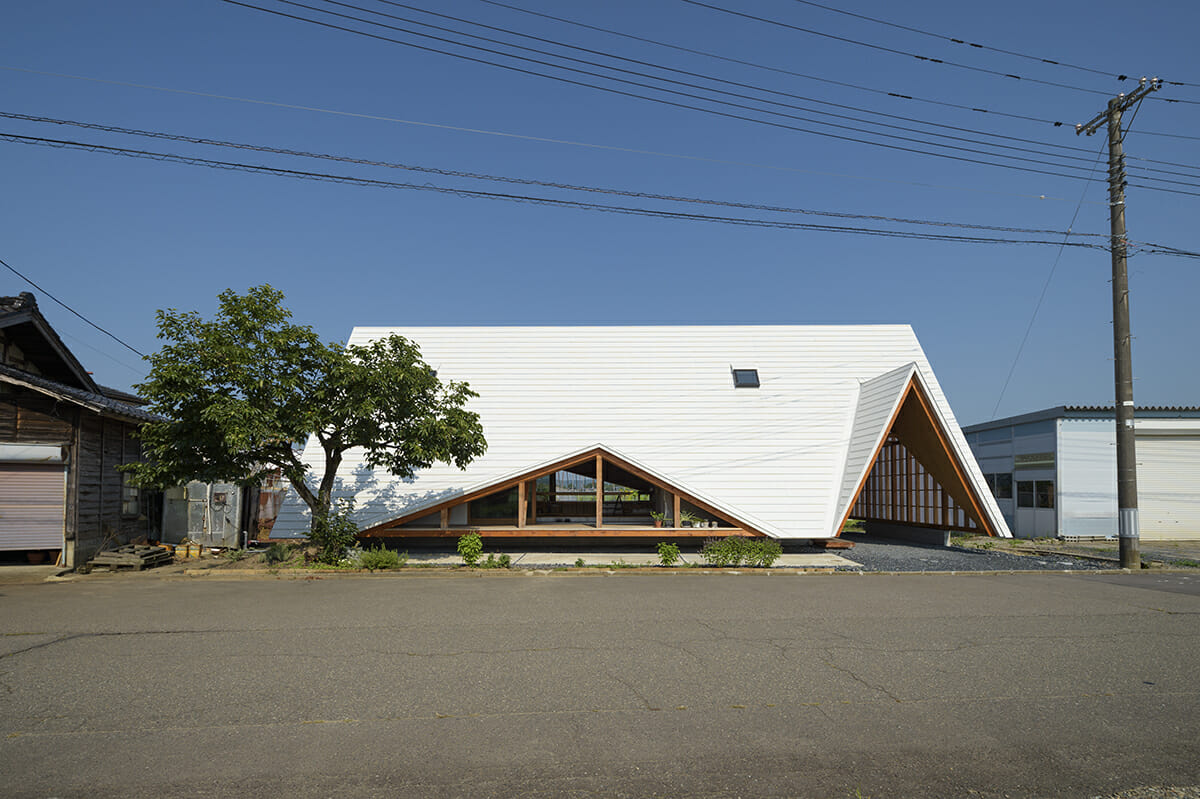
<point x="766" y="431"/>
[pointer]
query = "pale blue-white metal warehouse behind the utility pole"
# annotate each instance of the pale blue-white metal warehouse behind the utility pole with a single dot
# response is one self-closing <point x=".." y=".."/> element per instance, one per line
<point x="1054" y="472"/>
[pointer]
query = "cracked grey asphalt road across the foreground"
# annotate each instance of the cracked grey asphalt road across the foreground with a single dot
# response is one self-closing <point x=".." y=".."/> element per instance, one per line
<point x="604" y="686"/>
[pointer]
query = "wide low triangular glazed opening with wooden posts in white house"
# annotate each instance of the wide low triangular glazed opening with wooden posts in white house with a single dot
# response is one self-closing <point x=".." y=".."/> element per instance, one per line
<point x="595" y="494"/>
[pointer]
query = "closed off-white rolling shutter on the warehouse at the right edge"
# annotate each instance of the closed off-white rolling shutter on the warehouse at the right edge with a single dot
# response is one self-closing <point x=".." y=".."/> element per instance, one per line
<point x="1169" y="486"/>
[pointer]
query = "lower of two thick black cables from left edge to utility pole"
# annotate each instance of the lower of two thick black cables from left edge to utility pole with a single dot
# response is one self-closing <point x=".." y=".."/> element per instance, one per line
<point x="529" y="200"/>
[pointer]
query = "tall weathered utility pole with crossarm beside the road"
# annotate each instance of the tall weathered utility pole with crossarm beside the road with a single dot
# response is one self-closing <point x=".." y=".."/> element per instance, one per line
<point x="1127" y="458"/>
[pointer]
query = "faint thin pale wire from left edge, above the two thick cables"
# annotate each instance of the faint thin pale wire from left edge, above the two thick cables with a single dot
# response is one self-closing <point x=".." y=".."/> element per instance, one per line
<point x="518" y="136"/>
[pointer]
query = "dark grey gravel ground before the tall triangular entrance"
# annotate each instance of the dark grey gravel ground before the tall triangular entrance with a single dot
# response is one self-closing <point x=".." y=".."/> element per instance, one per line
<point x="889" y="555"/>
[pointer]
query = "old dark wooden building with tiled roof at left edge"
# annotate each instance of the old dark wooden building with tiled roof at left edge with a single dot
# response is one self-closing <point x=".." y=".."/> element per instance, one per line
<point x="62" y="441"/>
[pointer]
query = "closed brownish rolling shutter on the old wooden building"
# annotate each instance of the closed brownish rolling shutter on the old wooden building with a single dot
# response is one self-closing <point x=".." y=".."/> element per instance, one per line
<point x="33" y="500"/>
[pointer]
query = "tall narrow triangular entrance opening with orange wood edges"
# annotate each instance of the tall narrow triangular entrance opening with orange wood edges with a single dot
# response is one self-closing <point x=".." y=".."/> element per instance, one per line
<point x="917" y="479"/>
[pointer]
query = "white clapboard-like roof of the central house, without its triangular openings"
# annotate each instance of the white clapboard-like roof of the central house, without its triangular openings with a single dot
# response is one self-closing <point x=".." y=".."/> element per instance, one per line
<point x="785" y="458"/>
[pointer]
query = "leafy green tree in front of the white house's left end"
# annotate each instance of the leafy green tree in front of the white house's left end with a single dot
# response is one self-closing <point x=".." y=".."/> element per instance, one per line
<point x="242" y="393"/>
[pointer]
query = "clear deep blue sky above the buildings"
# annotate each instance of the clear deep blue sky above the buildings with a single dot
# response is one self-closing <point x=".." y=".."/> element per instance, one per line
<point x="118" y="238"/>
